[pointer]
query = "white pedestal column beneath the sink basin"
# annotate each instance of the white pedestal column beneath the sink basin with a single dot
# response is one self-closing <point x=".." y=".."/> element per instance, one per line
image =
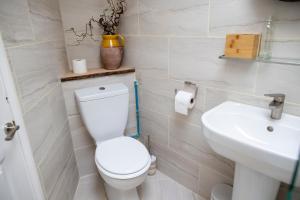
<point x="250" y="185"/>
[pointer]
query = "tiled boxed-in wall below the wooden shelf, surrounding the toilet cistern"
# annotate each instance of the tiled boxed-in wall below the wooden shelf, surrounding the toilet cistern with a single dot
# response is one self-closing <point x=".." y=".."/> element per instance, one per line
<point x="83" y="143"/>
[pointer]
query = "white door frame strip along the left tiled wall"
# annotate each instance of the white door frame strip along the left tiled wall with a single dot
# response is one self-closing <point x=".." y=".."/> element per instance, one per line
<point x="11" y="93"/>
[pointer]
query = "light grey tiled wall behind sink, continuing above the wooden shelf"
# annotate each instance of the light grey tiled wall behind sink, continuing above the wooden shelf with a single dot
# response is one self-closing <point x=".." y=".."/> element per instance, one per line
<point x="172" y="41"/>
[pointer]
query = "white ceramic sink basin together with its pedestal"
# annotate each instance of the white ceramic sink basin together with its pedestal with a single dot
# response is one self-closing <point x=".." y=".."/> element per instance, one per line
<point x="265" y="150"/>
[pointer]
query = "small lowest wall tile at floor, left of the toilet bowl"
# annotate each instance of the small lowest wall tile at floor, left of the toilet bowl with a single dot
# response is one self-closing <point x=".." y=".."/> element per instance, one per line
<point x="85" y="158"/>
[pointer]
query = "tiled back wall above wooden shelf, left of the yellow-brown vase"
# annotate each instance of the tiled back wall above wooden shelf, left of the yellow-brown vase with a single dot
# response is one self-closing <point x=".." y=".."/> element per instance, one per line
<point x="73" y="16"/>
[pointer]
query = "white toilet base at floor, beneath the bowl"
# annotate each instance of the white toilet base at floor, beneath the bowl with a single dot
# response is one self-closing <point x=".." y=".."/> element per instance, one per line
<point x="116" y="194"/>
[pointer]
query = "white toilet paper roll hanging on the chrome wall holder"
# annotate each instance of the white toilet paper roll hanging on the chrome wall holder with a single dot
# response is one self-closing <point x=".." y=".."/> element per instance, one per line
<point x="183" y="102"/>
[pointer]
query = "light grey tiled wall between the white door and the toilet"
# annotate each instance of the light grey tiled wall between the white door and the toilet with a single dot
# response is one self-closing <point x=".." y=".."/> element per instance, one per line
<point x="33" y="35"/>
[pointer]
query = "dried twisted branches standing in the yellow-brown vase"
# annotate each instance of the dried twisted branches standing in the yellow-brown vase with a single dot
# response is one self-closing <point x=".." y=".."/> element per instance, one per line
<point x="109" y="20"/>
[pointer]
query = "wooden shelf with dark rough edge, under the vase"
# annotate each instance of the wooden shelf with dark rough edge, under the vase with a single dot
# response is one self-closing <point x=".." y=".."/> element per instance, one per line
<point x="93" y="73"/>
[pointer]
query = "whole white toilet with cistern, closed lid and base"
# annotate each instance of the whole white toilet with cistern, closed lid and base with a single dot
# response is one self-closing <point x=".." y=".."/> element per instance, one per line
<point x="122" y="161"/>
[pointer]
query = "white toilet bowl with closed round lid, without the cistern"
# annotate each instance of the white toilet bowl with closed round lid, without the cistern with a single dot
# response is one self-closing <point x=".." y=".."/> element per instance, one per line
<point x="123" y="163"/>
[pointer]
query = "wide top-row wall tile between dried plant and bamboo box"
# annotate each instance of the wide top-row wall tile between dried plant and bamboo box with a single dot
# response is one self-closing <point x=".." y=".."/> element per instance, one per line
<point x="176" y="18"/>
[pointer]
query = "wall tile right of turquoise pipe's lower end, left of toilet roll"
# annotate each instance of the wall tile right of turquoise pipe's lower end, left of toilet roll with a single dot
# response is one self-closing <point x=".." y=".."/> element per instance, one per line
<point x="155" y="125"/>
